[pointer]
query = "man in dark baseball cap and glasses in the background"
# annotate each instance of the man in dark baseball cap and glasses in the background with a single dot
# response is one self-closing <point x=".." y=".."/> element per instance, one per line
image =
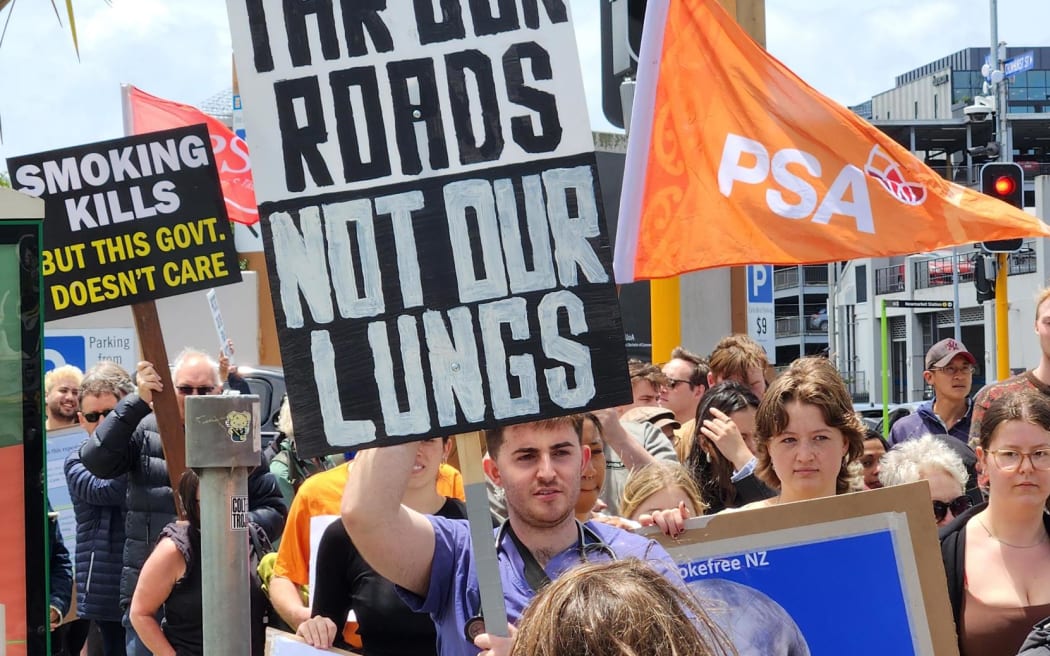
<point x="950" y="372"/>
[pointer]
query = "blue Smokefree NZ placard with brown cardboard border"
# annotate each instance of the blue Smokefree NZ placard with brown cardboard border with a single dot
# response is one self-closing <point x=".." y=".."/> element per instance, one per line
<point x="808" y="573"/>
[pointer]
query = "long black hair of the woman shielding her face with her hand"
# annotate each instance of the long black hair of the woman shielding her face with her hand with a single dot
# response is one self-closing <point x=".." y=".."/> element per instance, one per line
<point x="710" y="470"/>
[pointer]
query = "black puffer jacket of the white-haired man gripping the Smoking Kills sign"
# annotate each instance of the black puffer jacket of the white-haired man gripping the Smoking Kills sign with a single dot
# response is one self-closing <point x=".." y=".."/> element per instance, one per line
<point x="128" y="442"/>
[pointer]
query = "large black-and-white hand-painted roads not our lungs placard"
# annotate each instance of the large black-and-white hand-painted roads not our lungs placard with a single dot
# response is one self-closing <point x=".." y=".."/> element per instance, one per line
<point x="431" y="215"/>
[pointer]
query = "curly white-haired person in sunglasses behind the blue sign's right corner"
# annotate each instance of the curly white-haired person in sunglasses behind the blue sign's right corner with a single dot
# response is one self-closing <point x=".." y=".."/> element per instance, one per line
<point x="930" y="459"/>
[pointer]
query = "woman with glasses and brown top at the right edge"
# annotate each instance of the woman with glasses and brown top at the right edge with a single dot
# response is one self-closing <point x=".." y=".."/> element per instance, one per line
<point x="997" y="556"/>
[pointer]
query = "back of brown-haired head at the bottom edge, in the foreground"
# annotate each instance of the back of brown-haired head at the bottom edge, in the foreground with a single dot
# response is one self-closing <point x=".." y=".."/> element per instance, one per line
<point x="620" y="608"/>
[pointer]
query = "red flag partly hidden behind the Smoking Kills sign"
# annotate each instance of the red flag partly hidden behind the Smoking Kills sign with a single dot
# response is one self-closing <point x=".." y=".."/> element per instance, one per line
<point x="151" y="114"/>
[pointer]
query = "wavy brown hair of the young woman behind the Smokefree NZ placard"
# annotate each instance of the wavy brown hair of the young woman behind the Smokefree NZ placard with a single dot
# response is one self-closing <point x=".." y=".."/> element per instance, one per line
<point x="813" y="382"/>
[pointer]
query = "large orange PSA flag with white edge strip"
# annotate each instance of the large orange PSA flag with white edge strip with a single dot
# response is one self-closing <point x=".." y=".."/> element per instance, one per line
<point x="733" y="160"/>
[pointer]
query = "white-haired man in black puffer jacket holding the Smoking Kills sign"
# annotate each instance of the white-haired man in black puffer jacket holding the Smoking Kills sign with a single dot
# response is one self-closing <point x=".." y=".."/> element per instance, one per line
<point x="129" y="443"/>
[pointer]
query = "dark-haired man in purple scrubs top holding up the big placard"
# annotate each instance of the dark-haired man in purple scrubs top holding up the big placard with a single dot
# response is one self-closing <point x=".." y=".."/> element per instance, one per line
<point x="431" y="559"/>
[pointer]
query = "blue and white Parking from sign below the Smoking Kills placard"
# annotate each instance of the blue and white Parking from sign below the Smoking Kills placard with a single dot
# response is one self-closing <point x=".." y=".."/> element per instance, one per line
<point x="87" y="348"/>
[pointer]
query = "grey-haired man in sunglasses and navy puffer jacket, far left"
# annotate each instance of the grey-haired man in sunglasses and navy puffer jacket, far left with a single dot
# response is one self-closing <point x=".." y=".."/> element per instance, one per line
<point x="99" y="506"/>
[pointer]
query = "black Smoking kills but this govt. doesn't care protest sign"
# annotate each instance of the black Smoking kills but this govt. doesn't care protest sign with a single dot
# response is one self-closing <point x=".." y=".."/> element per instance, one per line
<point x="130" y="220"/>
